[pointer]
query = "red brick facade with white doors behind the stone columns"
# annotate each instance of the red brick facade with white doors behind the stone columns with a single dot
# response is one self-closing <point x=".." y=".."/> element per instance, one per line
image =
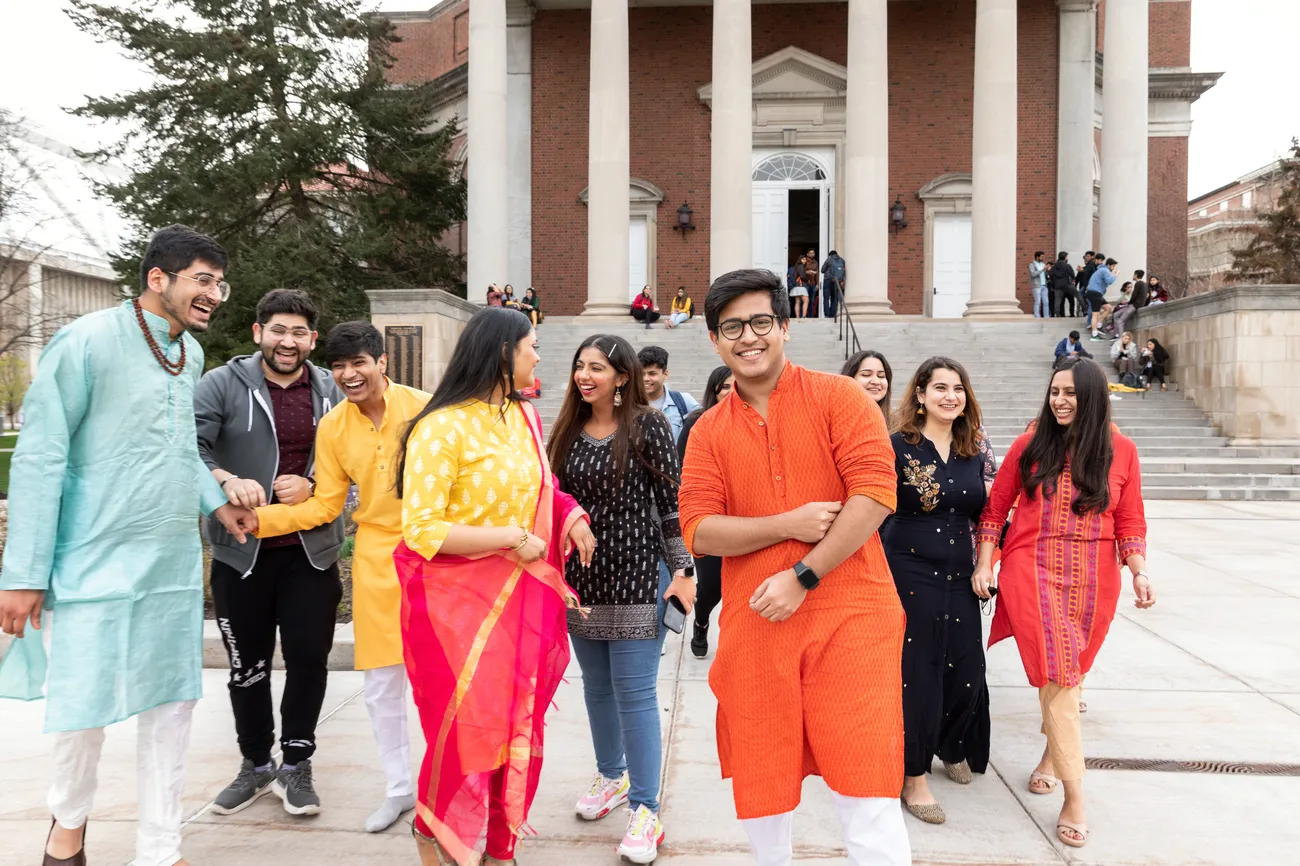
<point x="931" y="110"/>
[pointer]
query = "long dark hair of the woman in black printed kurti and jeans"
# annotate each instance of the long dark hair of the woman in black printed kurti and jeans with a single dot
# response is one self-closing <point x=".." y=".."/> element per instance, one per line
<point x="575" y="412"/>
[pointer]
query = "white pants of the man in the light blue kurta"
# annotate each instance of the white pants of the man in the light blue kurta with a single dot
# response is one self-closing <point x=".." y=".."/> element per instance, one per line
<point x="163" y="735"/>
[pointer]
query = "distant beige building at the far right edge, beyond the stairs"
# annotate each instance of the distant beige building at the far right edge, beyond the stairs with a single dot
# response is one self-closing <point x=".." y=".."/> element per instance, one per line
<point x="1220" y="223"/>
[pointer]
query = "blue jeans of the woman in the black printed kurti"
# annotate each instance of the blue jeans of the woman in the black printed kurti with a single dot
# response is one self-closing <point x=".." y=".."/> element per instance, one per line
<point x="621" y="686"/>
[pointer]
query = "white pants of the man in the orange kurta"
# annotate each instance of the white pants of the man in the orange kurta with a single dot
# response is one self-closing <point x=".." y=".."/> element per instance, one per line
<point x="874" y="834"/>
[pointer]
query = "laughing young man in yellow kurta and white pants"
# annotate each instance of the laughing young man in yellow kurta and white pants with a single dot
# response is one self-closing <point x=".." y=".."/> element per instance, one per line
<point x="358" y="443"/>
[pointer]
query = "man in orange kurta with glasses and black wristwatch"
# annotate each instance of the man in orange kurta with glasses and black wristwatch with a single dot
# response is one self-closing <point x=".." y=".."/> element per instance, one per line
<point x="788" y="480"/>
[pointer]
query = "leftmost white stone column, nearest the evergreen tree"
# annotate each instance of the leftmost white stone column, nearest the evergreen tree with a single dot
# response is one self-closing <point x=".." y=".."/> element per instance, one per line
<point x="487" y="254"/>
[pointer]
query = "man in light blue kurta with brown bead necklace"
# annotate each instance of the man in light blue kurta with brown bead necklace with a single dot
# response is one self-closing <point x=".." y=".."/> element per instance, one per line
<point x="103" y="553"/>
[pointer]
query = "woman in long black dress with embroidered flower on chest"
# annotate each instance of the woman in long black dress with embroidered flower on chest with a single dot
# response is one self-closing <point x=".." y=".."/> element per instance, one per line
<point x="944" y="464"/>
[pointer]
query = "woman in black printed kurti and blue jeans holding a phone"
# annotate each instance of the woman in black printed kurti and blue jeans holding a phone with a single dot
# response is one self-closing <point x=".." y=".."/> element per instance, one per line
<point x="616" y="456"/>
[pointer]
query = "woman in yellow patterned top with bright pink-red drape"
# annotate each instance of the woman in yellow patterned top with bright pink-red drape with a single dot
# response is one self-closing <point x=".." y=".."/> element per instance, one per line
<point x="484" y="595"/>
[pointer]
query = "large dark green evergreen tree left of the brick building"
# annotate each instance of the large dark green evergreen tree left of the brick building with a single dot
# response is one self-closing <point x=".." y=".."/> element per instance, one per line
<point x="271" y="125"/>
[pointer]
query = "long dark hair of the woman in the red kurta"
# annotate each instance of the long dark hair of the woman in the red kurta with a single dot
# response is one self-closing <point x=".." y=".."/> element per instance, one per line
<point x="1087" y="441"/>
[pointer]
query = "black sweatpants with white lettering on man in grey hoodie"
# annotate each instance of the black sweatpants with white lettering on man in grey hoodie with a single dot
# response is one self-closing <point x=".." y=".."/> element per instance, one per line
<point x="284" y="591"/>
